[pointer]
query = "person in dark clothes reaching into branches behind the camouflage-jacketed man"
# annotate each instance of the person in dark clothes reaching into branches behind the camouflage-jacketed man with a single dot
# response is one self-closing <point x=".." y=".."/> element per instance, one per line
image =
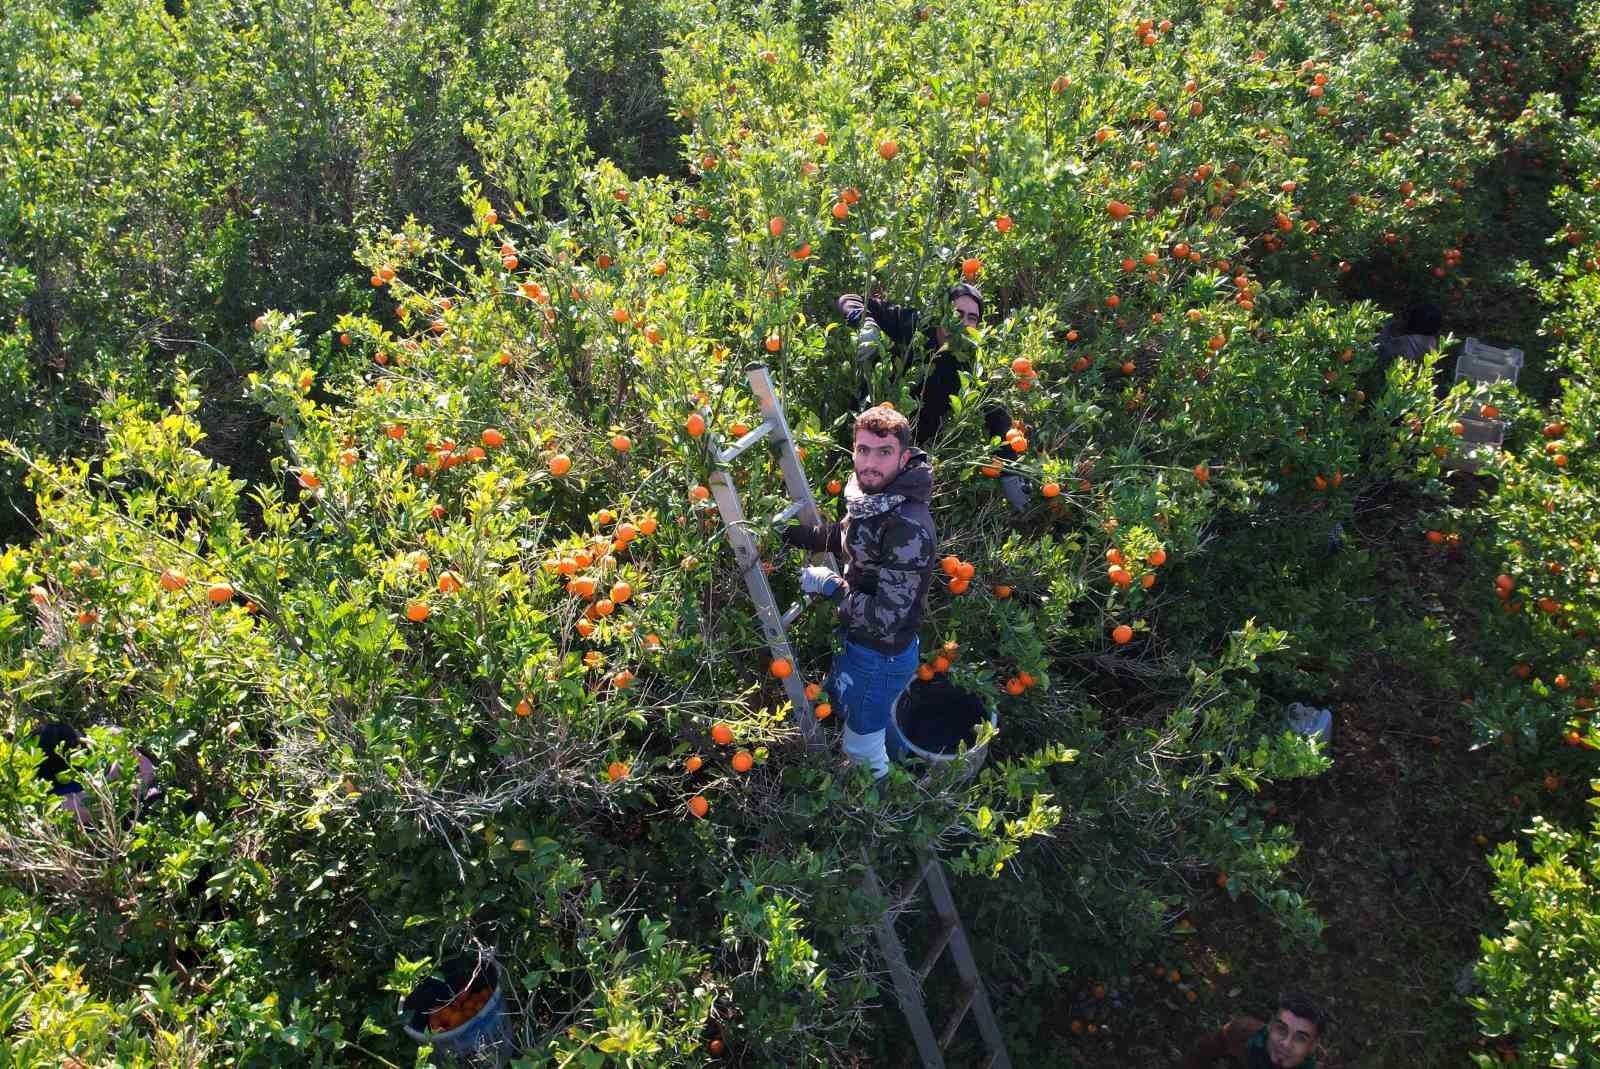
<point x="926" y="348"/>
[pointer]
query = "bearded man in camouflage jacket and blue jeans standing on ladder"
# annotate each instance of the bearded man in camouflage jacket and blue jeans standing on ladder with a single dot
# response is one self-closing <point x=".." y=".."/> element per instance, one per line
<point x="887" y="542"/>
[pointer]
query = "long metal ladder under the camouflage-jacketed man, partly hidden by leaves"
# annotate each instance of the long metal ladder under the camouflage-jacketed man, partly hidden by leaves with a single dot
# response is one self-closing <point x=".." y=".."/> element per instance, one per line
<point x="775" y="625"/>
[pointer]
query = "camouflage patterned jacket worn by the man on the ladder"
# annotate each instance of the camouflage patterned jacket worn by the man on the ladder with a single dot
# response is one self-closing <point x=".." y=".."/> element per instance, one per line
<point x="889" y="547"/>
